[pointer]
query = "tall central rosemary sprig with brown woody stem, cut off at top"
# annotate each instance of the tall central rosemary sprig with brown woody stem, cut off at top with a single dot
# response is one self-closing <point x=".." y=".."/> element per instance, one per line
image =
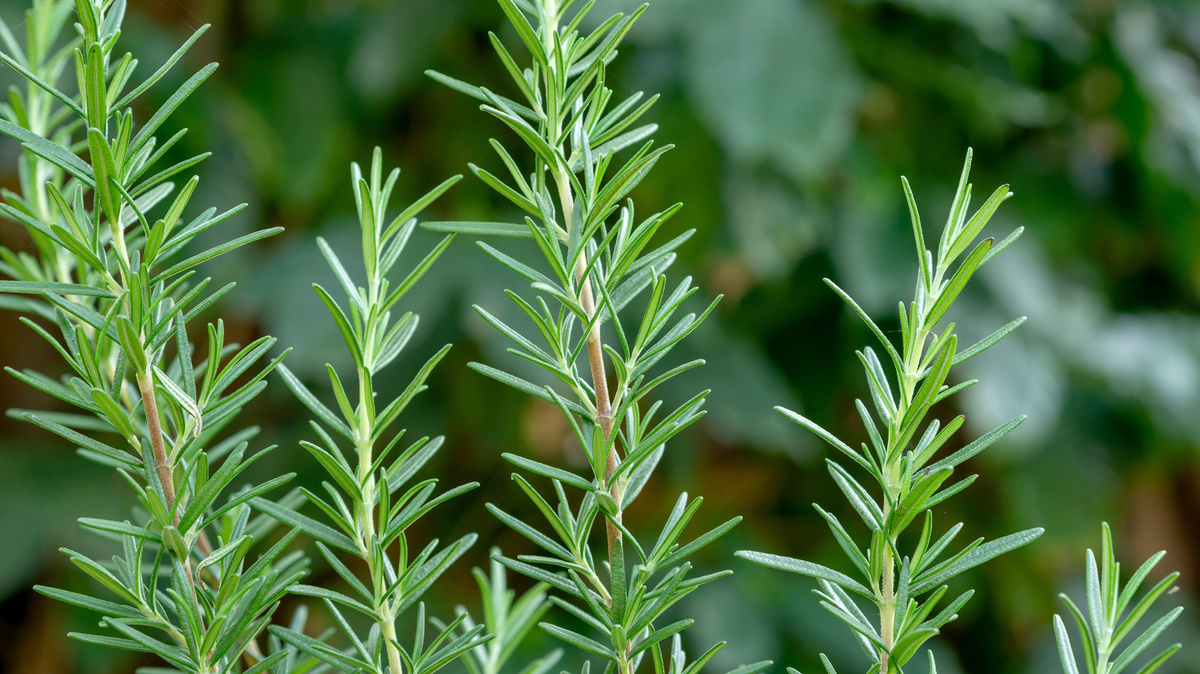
<point x="598" y="261"/>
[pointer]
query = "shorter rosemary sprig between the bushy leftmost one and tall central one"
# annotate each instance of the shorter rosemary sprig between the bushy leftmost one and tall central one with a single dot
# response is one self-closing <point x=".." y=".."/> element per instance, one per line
<point x="369" y="513"/>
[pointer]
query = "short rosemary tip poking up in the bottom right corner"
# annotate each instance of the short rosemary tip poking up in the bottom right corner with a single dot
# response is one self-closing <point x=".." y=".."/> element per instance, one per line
<point x="1113" y="616"/>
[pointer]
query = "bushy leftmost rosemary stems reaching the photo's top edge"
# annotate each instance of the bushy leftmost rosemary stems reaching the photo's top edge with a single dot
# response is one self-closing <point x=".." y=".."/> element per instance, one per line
<point x="112" y="293"/>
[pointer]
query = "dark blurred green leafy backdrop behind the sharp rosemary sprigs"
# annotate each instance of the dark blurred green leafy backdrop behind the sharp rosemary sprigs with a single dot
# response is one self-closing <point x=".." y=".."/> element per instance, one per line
<point x="794" y="122"/>
